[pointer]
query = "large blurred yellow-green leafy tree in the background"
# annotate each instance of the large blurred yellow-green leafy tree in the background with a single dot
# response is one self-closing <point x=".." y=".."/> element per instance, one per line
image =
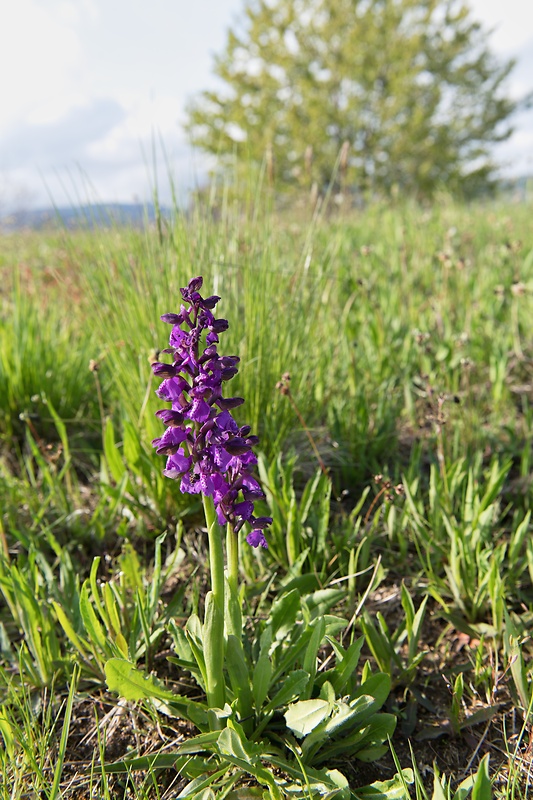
<point x="396" y="93"/>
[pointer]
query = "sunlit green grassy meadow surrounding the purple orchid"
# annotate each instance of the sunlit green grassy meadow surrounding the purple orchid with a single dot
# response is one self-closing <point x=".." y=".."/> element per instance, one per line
<point x="395" y="455"/>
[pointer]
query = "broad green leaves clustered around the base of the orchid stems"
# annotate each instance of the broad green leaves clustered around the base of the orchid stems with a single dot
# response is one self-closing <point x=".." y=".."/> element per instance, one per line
<point x="330" y="710"/>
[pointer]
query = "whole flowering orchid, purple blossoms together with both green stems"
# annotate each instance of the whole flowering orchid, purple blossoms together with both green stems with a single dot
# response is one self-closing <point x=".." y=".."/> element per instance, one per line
<point x="210" y="455"/>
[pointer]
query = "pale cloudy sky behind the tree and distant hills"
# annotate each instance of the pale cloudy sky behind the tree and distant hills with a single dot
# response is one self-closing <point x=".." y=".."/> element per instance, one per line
<point x="90" y="86"/>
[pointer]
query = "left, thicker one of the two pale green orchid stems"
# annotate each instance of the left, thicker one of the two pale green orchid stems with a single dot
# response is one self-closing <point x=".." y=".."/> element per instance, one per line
<point x="214" y="616"/>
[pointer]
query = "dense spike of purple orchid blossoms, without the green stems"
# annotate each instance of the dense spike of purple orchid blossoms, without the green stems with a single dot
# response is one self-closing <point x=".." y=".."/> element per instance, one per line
<point x="206" y="448"/>
